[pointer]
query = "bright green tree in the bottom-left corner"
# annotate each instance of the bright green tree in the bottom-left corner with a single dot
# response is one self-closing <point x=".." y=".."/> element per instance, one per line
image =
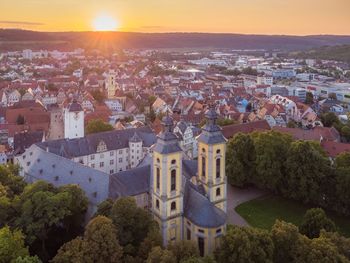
<point x="11" y="245"/>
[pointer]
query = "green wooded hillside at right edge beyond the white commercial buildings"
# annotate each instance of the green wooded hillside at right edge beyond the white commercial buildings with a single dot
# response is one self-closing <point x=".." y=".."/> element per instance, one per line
<point x="338" y="53"/>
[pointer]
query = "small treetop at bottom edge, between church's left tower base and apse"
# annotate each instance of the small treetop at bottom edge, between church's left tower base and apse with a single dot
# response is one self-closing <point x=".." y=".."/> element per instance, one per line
<point x="183" y="250"/>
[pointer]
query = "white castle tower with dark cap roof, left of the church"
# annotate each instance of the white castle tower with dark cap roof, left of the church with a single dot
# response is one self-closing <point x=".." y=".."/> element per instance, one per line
<point x="73" y="120"/>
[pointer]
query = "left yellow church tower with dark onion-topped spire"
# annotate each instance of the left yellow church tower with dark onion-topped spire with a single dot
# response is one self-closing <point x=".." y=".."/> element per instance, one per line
<point x="166" y="184"/>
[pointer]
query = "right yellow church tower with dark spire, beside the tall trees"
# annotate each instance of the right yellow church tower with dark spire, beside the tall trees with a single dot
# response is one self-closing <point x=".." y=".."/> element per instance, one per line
<point x="211" y="160"/>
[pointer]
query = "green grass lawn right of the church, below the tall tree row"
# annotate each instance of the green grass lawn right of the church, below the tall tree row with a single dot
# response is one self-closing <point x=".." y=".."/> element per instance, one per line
<point x="263" y="212"/>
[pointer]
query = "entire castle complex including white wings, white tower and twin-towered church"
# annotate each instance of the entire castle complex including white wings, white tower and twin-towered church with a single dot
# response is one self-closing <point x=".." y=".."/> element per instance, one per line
<point x="186" y="197"/>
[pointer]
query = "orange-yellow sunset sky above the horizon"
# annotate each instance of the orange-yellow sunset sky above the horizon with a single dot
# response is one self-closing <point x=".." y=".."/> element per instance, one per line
<point x="296" y="17"/>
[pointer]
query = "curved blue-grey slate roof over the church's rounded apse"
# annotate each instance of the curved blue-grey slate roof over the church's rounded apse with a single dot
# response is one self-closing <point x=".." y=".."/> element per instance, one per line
<point x="200" y="210"/>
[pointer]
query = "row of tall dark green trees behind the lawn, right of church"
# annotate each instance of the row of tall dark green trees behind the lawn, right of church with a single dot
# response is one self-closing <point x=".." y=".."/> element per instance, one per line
<point x="298" y="170"/>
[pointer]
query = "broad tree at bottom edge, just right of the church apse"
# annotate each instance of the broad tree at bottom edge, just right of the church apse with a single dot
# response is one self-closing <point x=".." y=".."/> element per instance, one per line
<point x="245" y="244"/>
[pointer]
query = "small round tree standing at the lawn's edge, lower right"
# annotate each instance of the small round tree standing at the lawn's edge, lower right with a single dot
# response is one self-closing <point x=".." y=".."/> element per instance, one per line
<point x="314" y="221"/>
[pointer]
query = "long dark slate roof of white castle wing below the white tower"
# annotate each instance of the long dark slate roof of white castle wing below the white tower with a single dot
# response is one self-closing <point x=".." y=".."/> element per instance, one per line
<point x="117" y="139"/>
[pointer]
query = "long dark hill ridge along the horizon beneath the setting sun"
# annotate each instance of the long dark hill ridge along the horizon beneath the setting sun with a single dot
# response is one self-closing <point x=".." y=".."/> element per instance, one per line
<point x="12" y="39"/>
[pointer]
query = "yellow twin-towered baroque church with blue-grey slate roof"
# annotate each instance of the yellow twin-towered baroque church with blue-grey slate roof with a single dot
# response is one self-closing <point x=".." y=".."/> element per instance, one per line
<point x="190" y="205"/>
